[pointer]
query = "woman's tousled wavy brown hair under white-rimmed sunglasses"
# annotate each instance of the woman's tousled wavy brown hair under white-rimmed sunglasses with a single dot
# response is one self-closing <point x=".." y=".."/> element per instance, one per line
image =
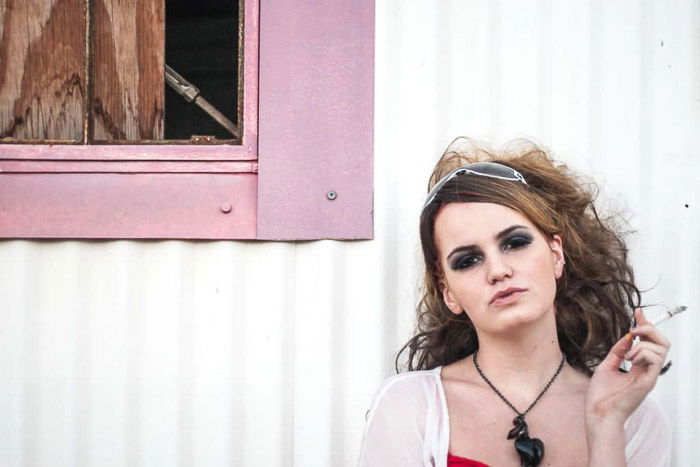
<point x="595" y="295"/>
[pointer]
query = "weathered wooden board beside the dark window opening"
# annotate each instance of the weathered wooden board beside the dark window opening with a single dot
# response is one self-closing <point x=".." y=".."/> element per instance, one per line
<point x="129" y="50"/>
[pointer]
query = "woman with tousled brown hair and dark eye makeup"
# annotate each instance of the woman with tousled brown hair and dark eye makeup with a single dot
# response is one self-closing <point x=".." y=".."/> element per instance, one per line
<point x="524" y="323"/>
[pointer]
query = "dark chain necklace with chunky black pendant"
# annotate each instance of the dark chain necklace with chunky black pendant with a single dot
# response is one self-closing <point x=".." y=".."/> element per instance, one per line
<point x="530" y="450"/>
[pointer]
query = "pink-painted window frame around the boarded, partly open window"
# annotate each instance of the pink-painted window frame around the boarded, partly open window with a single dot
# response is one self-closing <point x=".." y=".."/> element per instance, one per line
<point x="303" y="170"/>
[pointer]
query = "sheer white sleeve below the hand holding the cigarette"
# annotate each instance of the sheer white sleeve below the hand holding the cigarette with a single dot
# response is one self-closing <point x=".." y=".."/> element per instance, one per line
<point x="648" y="436"/>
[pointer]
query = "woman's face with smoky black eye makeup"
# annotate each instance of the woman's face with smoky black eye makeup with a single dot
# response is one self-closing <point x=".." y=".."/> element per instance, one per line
<point x="497" y="266"/>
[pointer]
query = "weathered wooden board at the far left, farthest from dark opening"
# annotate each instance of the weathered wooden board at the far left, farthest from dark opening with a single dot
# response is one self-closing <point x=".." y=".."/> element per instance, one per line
<point x="42" y="77"/>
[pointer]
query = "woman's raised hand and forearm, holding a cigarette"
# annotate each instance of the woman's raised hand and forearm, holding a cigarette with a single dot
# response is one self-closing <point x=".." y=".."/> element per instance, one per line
<point x="612" y="395"/>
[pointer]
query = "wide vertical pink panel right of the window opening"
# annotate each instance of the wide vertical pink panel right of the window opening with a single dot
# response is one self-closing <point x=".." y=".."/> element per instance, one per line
<point x="316" y="119"/>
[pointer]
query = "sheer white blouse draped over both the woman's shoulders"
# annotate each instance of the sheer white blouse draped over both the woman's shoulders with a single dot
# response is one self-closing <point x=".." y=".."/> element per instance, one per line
<point x="408" y="426"/>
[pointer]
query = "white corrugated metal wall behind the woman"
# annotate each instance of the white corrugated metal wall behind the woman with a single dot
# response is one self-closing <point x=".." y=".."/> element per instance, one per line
<point x="267" y="354"/>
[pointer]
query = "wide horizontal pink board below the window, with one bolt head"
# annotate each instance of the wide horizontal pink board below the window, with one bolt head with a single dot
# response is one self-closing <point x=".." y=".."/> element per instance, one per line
<point x="187" y="206"/>
